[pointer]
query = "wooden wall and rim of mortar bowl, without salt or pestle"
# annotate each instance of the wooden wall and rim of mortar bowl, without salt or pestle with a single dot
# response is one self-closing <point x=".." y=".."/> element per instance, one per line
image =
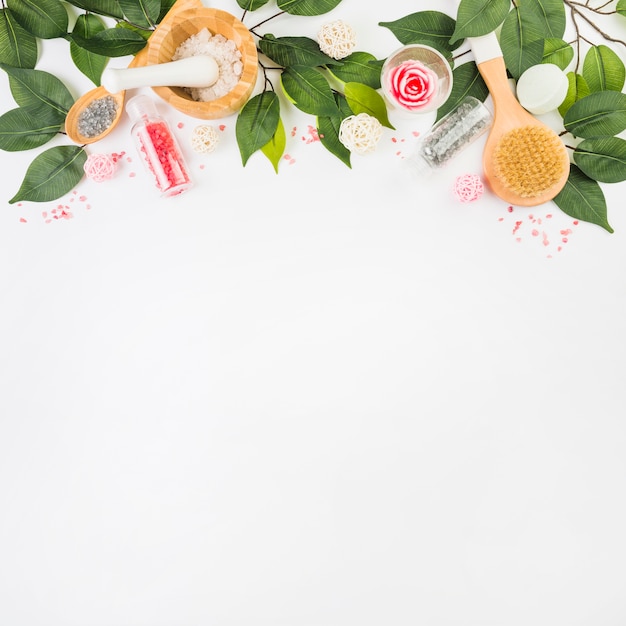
<point x="163" y="43"/>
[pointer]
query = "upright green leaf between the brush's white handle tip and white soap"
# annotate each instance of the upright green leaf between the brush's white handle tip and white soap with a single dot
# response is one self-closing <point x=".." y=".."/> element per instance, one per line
<point x="521" y="41"/>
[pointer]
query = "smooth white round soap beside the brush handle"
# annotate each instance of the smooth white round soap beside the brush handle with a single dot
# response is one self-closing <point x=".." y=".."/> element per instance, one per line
<point x="542" y="88"/>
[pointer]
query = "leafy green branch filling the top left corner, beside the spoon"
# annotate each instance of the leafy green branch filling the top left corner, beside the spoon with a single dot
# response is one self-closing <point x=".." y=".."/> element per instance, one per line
<point x="102" y="29"/>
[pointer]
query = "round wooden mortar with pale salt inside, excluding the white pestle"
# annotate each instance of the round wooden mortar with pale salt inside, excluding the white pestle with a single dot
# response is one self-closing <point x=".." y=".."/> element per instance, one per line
<point x="220" y="35"/>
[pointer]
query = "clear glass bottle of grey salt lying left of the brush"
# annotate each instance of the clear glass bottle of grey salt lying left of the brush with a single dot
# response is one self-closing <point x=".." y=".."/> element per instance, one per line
<point x="451" y="134"/>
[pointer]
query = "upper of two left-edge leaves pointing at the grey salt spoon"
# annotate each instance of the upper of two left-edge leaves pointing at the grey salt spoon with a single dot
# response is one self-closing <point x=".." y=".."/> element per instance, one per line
<point x="35" y="87"/>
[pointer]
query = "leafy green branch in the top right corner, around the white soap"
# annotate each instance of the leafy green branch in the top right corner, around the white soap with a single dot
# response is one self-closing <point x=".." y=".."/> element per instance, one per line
<point x="594" y="110"/>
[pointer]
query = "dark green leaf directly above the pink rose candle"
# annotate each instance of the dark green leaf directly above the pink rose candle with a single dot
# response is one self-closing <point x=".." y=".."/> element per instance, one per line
<point x="431" y="28"/>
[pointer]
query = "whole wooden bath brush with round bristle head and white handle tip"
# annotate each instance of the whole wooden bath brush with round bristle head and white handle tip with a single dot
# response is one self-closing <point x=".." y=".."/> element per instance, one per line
<point x="524" y="160"/>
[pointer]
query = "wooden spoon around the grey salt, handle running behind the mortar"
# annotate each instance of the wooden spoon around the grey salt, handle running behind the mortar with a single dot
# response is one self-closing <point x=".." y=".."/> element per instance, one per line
<point x="140" y="59"/>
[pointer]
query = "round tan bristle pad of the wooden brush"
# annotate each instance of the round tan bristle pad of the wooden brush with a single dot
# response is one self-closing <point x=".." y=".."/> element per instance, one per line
<point x="529" y="160"/>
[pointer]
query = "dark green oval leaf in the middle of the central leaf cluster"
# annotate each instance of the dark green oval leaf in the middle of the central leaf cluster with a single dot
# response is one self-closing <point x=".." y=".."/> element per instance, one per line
<point x="308" y="90"/>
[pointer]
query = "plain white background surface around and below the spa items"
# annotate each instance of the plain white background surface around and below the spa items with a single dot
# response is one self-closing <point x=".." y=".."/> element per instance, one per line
<point x="326" y="397"/>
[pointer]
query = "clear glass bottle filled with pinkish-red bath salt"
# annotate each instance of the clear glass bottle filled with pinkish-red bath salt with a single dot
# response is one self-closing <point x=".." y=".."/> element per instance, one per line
<point x="157" y="147"/>
